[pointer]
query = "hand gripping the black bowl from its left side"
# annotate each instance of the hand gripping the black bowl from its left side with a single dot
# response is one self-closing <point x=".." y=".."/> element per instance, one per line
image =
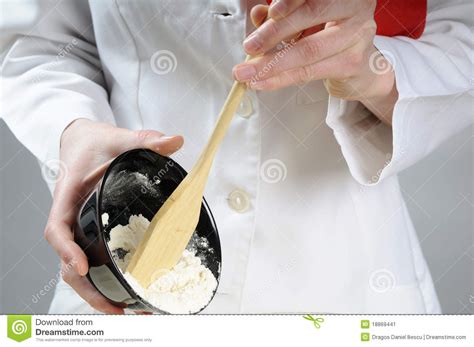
<point x="87" y="148"/>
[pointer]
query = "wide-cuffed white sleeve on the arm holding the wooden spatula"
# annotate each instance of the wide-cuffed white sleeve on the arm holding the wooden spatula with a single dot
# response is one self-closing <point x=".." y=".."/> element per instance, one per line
<point x="435" y="86"/>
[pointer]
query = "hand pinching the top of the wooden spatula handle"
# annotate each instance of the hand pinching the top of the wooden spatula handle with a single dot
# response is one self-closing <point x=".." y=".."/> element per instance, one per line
<point x="330" y="40"/>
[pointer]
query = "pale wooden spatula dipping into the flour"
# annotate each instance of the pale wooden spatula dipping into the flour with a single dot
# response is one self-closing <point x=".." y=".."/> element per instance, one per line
<point x="175" y="222"/>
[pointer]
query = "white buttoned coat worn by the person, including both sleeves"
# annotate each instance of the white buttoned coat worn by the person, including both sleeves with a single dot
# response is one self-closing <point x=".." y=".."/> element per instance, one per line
<point x="304" y="189"/>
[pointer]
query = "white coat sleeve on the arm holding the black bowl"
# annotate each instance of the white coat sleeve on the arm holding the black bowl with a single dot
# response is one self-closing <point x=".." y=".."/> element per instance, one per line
<point x="51" y="74"/>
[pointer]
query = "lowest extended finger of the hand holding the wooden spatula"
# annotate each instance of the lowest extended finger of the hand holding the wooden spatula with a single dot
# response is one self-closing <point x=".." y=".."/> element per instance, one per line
<point x="340" y="67"/>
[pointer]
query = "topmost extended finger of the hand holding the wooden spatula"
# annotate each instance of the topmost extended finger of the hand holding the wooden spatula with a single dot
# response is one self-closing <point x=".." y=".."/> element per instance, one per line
<point x="270" y="33"/>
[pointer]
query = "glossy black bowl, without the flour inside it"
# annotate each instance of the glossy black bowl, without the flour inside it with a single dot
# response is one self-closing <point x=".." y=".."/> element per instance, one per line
<point x="122" y="192"/>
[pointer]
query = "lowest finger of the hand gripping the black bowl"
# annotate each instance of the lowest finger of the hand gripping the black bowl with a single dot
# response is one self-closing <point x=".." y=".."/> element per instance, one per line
<point x="86" y="290"/>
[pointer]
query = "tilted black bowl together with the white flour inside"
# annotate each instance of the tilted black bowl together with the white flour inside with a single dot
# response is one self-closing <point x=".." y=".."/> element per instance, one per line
<point x="114" y="219"/>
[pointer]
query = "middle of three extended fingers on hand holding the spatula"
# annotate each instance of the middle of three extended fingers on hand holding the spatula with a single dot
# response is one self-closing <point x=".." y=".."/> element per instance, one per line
<point x="308" y="50"/>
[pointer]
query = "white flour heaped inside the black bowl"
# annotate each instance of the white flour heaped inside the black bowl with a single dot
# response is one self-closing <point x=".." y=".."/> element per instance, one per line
<point x="186" y="288"/>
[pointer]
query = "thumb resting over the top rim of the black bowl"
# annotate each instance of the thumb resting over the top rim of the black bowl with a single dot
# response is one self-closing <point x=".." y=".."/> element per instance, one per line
<point x="126" y="140"/>
